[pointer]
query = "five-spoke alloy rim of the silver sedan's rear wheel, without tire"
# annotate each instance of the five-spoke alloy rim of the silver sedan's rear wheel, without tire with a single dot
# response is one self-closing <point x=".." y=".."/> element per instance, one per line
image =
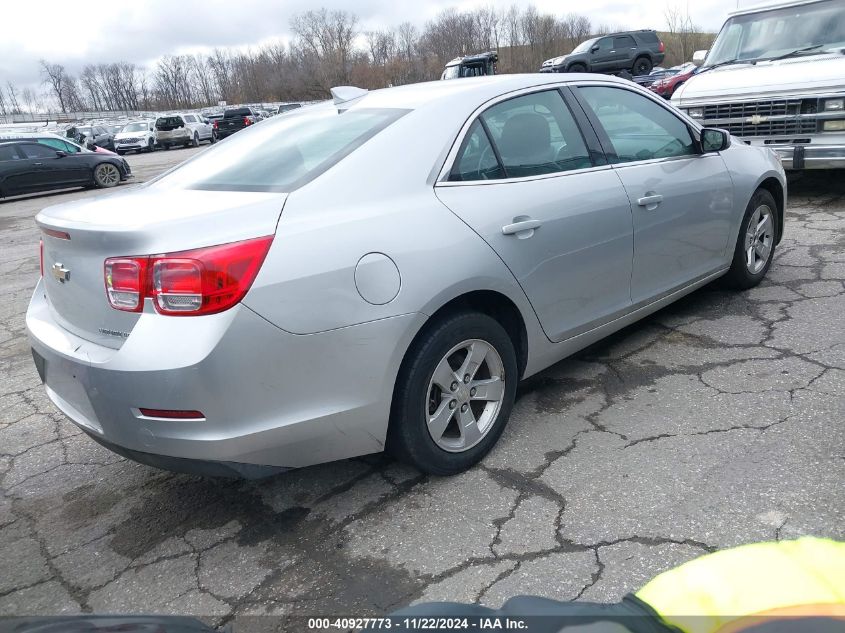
<point x="465" y="395"/>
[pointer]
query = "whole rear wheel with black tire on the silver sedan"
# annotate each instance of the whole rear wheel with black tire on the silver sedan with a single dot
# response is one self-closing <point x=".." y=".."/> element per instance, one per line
<point x="454" y="394"/>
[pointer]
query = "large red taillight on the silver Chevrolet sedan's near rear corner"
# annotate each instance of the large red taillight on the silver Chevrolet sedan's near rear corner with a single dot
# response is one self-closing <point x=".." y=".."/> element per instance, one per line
<point x="201" y="281"/>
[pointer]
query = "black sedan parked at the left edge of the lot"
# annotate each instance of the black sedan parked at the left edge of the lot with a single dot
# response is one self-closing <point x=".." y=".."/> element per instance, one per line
<point x="30" y="166"/>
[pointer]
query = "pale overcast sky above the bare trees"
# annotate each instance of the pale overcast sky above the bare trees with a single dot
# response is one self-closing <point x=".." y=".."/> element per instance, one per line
<point x="77" y="32"/>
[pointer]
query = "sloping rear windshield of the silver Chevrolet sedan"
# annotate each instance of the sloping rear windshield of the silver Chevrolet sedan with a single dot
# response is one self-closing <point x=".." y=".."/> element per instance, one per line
<point x="284" y="153"/>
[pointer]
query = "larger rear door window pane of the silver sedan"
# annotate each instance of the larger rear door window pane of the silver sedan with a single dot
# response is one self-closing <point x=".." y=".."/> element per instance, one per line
<point x="536" y="134"/>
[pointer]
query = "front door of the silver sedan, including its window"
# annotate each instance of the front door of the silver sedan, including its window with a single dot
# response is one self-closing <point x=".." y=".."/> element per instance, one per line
<point x="681" y="199"/>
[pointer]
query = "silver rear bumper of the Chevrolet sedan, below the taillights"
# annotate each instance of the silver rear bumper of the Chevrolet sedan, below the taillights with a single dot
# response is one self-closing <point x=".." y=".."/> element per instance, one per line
<point x="269" y="397"/>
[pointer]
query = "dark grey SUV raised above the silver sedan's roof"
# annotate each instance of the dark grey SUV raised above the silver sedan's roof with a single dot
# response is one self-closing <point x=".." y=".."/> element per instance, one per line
<point x="634" y="51"/>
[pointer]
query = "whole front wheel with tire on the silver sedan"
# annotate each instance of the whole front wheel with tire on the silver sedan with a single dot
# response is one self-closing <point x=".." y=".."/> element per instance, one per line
<point x="755" y="244"/>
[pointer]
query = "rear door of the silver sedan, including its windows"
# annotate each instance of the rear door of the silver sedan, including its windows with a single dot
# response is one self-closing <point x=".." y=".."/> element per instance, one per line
<point x="528" y="179"/>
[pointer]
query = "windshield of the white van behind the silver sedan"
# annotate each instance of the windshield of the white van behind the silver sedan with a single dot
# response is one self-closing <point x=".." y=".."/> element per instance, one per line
<point x="777" y="32"/>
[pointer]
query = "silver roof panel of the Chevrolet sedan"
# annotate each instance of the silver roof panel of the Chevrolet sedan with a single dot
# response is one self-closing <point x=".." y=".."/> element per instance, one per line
<point x="471" y="89"/>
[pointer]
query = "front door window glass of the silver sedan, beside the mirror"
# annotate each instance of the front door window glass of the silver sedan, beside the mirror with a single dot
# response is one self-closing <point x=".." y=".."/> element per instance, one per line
<point x="638" y="128"/>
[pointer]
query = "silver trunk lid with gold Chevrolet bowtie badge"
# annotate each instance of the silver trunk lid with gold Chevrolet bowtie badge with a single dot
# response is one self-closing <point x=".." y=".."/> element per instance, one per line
<point x="78" y="237"/>
